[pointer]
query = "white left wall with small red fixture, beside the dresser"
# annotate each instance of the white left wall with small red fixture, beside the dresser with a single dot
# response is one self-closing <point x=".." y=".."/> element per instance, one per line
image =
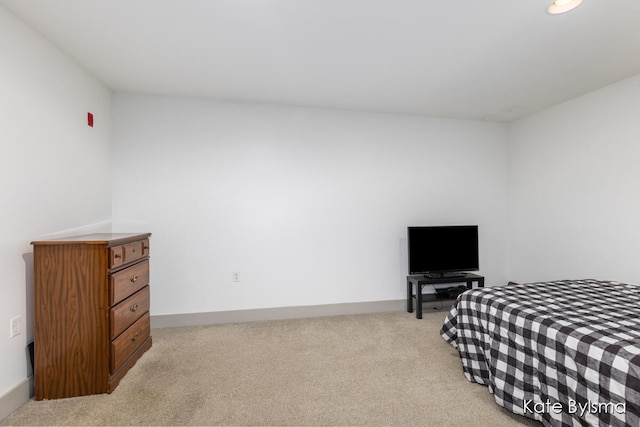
<point x="54" y="170"/>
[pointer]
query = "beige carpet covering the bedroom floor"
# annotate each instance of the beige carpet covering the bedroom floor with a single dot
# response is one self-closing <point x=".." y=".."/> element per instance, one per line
<point x="372" y="369"/>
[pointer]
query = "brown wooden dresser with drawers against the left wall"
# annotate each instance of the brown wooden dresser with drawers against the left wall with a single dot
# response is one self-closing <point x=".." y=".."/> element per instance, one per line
<point x="91" y="314"/>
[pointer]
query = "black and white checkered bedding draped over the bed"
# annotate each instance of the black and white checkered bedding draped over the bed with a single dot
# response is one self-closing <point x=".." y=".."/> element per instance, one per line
<point x="566" y="353"/>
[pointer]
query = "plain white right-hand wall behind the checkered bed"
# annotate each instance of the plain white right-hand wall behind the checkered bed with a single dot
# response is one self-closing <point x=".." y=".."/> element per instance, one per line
<point x="574" y="188"/>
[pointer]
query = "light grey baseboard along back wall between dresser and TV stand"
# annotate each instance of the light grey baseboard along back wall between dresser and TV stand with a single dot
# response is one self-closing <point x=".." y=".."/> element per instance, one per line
<point x="279" y="313"/>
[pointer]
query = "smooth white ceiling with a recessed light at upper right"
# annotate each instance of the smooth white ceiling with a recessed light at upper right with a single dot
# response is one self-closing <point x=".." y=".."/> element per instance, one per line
<point x="487" y="60"/>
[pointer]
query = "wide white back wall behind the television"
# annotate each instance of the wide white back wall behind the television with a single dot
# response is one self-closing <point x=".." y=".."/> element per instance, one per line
<point x="310" y="206"/>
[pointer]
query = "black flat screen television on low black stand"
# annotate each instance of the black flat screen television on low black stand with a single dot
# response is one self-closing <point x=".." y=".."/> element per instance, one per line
<point x="440" y="251"/>
